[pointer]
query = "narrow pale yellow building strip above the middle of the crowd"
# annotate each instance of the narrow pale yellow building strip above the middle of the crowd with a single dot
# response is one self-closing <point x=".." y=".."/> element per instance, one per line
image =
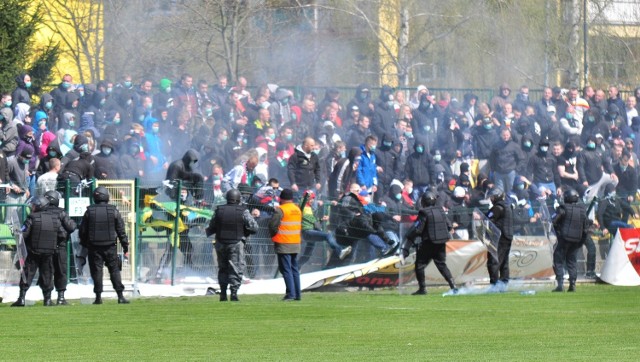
<point x="388" y="32"/>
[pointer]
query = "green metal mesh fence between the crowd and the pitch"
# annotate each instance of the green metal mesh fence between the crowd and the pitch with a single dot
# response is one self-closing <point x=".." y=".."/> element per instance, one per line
<point x="169" y="245"/>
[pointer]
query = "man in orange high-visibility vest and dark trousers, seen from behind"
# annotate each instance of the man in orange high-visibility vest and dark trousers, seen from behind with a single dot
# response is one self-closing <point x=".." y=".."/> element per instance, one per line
<point x="285" y="227"/>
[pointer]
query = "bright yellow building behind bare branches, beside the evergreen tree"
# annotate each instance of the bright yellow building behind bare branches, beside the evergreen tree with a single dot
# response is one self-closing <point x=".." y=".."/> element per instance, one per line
<point x="77" y="26"/>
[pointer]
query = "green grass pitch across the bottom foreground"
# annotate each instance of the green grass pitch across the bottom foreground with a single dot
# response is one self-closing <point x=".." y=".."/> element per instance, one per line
<point x="598" y="323"/>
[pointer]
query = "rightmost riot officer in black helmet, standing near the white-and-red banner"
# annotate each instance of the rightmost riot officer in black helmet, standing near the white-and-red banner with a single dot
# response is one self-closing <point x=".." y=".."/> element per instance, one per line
<point x="571" y="225"/>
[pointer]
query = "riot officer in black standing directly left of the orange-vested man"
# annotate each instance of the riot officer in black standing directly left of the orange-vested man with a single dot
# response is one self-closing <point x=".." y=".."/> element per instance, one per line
<point x="232" y="224"/>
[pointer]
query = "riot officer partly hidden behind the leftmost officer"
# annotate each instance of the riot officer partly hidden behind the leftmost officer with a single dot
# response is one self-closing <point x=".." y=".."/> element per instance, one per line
<point x="60" y="253"/>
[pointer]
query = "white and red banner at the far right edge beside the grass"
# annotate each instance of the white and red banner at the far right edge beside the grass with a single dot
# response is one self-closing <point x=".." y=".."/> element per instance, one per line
<point x="622" y="266"/>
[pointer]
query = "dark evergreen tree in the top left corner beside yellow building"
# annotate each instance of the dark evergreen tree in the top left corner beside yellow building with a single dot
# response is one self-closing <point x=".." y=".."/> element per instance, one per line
<point x="18" y="24"/>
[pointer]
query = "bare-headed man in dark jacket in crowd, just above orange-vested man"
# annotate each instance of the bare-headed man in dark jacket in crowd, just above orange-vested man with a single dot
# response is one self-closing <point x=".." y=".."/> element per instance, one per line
<point x="304" y="167"/>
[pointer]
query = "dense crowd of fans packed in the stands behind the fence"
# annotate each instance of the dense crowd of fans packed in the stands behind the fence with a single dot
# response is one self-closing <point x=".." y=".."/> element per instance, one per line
<point x="382" y="149"/>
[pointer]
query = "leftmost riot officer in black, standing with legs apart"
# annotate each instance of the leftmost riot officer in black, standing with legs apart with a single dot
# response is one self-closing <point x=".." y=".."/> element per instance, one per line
<point x="40" y="232"/>
